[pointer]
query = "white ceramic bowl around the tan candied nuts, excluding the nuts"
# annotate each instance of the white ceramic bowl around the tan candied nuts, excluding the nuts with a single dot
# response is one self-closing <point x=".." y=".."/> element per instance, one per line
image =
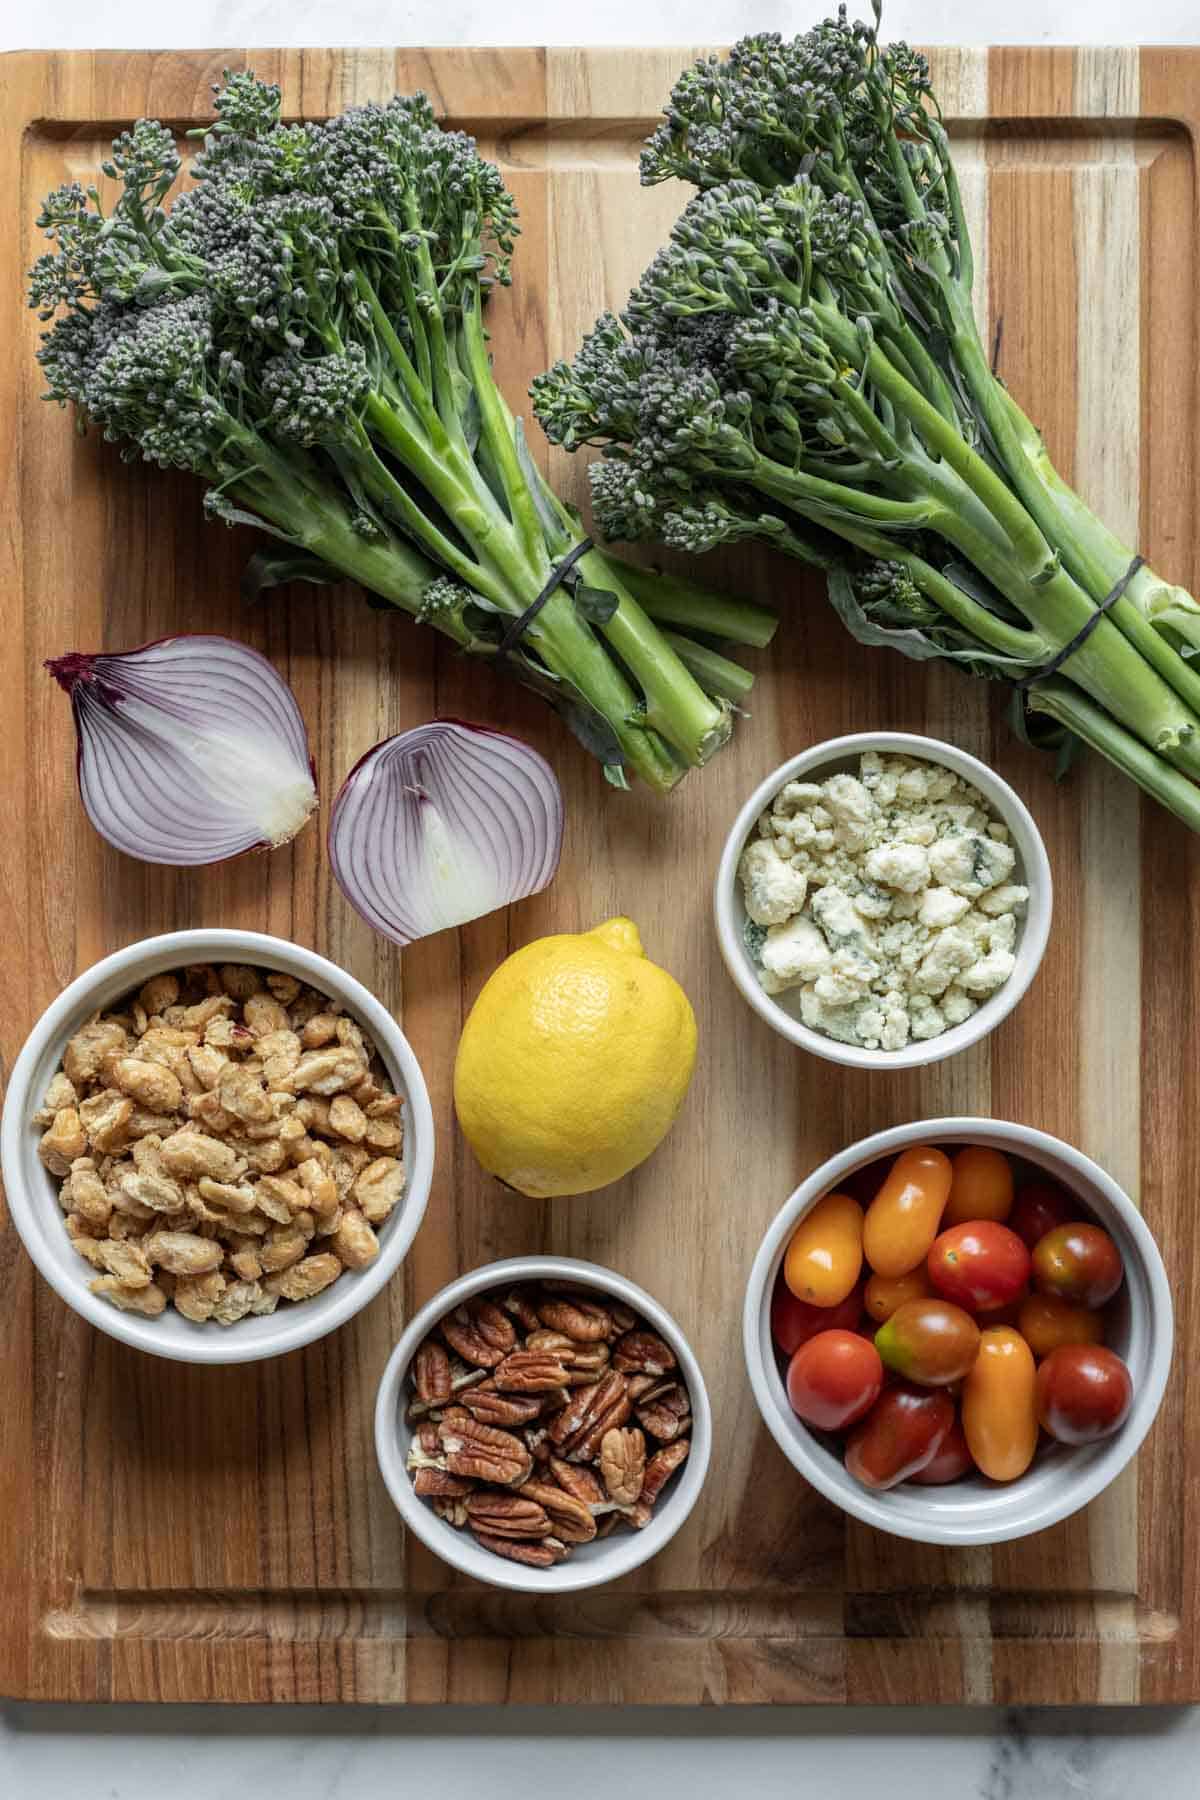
<point x="33" y="1192"/>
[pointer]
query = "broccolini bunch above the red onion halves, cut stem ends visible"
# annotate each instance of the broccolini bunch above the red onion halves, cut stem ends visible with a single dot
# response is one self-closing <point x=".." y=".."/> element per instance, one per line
<point x="303" y="327"/>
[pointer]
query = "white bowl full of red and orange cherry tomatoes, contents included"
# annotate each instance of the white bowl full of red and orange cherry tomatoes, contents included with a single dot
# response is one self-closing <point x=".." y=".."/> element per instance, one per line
<point x="960" y="1331"/>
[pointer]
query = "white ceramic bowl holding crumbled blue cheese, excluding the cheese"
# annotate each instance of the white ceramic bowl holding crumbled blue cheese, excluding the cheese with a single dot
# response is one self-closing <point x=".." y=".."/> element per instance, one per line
<point x="1034" y="870"/>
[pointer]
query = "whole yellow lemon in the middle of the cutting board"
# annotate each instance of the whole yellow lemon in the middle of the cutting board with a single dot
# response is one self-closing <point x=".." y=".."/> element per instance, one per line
<point x="575" y="1061"/>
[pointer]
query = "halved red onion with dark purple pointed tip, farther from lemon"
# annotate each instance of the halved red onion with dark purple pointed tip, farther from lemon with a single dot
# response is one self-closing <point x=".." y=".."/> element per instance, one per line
<point x="192" y="750"/>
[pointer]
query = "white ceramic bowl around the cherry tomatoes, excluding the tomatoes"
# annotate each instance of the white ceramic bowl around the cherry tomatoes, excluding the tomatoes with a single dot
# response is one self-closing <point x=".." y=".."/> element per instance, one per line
<point x="1062" y="1479"/>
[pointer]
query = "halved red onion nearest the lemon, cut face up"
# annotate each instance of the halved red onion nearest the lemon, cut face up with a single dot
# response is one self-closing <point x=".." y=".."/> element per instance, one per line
<point x="443" y="825"/>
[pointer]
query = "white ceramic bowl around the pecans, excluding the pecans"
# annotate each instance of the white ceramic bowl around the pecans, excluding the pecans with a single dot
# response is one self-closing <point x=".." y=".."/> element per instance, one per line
<point x="589" y="1565"/>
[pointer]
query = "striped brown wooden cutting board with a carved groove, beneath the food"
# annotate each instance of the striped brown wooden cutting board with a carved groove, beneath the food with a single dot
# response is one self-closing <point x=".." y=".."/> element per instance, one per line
<point x="222" y="1534"/>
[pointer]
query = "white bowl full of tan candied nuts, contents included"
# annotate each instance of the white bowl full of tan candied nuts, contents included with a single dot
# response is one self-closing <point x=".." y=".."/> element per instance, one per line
<point x="217" y="1146"/>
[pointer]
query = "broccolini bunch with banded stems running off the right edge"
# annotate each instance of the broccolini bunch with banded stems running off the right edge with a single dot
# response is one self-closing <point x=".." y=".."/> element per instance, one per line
<point x="801" y="364"/>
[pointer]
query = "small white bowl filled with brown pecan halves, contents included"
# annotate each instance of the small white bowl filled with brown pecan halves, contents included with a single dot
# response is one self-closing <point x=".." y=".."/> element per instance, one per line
<point x="544" y="1425"/>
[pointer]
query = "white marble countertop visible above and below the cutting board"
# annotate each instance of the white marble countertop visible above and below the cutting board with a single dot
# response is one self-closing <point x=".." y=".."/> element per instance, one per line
<point x="591" y="1754"/>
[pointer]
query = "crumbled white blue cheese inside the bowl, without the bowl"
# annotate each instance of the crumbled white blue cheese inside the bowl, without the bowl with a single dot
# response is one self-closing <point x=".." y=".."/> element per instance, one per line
<point x="888" y="899"/>
